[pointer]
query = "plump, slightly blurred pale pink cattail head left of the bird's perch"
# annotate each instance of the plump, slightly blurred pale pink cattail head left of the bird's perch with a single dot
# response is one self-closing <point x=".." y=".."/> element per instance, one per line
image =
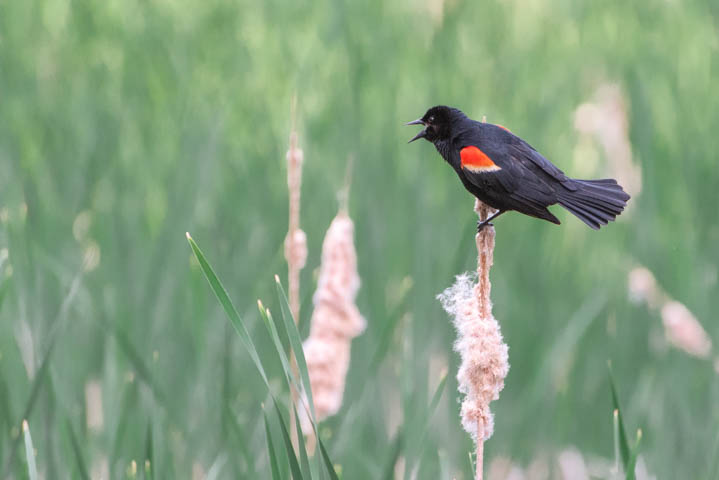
<point x="335" y="320"/>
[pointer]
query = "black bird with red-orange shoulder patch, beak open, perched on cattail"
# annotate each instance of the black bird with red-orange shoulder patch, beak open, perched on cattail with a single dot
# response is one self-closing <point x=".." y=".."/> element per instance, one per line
<point x="506" y="173"/>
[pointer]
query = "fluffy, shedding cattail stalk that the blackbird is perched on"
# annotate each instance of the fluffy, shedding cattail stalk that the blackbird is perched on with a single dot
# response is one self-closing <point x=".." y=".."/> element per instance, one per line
<point x="484" y="358"/>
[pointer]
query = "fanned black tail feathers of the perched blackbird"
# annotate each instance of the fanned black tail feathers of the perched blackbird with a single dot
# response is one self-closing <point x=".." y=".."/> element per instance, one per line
<point x="595" y="202"/>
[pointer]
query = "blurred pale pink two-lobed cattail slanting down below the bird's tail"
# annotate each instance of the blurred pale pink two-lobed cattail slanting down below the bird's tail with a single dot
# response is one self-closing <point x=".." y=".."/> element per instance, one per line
<point x="681" y="328"/>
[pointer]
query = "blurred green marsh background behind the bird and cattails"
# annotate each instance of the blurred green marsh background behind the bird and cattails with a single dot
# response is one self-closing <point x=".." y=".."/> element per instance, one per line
<point x="125" y="123"/>
